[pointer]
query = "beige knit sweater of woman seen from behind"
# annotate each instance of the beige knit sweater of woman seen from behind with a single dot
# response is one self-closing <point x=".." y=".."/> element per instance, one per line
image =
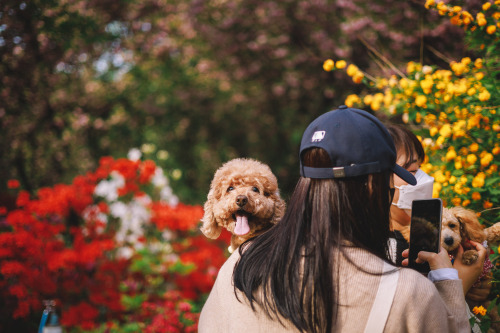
<point x="419" y="305"/>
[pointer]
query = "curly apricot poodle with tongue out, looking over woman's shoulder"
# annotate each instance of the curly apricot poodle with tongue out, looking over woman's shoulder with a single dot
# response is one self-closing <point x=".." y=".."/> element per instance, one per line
<point x="244" y="198"/>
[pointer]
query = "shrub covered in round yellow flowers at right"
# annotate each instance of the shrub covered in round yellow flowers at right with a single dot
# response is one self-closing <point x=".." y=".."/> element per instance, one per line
<point x="456" y="112"/>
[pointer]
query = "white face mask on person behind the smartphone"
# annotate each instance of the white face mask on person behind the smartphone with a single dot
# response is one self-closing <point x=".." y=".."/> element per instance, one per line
<point x="408" y="193"/>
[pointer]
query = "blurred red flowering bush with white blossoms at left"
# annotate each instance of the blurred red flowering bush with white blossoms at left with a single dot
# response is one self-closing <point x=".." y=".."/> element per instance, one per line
<point x="115" y="250"/>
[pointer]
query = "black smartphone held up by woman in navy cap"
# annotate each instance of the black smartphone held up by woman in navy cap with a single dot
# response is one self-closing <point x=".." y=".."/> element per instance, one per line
<point x="425" y="230"/>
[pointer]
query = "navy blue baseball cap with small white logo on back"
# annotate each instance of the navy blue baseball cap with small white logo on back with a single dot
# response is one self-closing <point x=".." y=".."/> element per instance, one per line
<point x="357" y="143"/>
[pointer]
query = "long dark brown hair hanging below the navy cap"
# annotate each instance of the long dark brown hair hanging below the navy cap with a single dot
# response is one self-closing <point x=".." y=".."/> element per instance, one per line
<point x="294" y="263"/>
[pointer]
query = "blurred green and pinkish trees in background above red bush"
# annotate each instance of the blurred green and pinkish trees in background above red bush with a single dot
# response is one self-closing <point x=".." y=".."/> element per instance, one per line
<point x="192" y="83"/>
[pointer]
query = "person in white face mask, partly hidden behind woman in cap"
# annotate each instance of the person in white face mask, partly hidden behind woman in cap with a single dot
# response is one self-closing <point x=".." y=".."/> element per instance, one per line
<point x="410" y="155"/>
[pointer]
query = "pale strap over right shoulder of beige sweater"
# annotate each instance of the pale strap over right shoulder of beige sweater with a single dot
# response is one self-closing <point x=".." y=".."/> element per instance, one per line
<point x="383" y="301"/>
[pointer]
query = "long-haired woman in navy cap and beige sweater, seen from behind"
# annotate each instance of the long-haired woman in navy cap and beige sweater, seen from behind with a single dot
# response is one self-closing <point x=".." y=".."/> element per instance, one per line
<point x="325" y="267"/>
